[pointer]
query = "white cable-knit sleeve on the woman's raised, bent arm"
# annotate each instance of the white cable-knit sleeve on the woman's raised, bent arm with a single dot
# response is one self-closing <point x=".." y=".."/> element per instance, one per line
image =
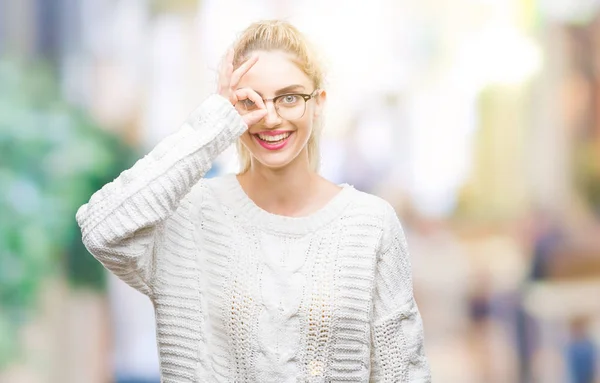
<point x="121" y="222"/>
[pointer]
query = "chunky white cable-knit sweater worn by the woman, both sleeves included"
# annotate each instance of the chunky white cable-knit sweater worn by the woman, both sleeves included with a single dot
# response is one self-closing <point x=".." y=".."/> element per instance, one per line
<point x="242" y="295"/>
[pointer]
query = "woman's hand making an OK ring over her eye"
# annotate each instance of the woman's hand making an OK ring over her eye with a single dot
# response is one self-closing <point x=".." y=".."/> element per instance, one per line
<point x="228" y="87"/>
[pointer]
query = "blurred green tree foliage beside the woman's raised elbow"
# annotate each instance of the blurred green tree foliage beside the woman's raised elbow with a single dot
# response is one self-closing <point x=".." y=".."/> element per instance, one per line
<point x="52" y="158"/>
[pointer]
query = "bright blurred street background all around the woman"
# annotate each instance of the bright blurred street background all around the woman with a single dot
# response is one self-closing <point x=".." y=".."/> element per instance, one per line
<point x="479" y="120"/>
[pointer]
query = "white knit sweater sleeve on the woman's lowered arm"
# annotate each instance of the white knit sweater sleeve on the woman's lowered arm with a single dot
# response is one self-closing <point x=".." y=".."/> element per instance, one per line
<point x="397" y="352"/>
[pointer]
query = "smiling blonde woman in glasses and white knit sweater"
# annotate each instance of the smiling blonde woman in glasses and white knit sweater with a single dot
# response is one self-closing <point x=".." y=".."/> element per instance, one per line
<point x="274" y="274"/>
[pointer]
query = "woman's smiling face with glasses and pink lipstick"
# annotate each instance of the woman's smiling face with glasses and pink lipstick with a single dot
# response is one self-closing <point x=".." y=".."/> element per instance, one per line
<point x="281" y="138"/>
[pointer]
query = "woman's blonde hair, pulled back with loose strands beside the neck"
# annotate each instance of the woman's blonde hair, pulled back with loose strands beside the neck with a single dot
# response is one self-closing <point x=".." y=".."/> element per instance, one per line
<point x="270" y="35"/>
